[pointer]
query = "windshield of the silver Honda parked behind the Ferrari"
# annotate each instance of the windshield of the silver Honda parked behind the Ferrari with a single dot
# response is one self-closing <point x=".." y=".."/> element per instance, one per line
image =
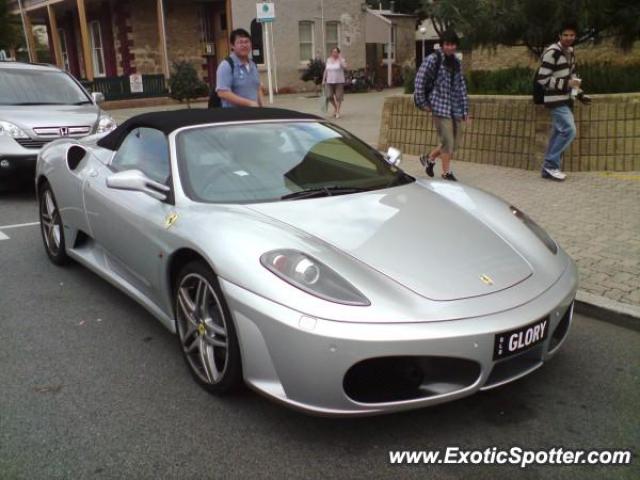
<point x="39" y="87"/>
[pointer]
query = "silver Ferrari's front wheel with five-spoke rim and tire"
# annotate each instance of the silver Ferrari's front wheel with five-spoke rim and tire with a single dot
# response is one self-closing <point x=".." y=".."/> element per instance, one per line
<point x="206" y="331"/>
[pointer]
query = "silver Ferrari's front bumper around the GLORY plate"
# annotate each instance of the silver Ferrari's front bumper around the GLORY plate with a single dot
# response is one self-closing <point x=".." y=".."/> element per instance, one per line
<point x="304" y="362"/>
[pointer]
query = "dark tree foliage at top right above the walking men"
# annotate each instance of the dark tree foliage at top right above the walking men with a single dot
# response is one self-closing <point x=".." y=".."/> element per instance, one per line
<point x="535" y="23"/>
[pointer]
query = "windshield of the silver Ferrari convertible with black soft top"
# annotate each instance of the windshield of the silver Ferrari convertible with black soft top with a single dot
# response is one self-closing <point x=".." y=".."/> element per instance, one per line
<point x="278" y="161"/>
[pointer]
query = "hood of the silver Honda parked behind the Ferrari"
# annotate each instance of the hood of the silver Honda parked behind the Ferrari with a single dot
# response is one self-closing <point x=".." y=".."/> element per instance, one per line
<point x="29" y="117"/>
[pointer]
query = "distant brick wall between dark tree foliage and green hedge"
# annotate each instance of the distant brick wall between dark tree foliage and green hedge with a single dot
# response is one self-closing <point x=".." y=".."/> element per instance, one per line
<point x="505" y="57"/>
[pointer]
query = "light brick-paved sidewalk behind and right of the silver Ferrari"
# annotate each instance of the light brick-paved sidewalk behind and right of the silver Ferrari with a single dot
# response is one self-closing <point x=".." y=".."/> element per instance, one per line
<point x="595" y="216"/>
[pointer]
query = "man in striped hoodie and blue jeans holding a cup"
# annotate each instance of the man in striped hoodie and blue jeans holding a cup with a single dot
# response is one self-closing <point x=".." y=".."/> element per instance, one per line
<point x="560" y="85"/>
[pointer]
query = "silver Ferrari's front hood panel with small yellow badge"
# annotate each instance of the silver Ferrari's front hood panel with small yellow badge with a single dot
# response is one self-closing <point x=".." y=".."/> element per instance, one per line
<point x="414" y="235"/>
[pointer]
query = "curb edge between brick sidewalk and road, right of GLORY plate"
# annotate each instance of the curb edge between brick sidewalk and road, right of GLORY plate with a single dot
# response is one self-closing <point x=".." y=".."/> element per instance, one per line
<point x="607" y="310"/>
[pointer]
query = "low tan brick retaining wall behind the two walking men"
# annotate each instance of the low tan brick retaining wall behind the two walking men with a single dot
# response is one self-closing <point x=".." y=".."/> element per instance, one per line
<point x="510" y="131"/>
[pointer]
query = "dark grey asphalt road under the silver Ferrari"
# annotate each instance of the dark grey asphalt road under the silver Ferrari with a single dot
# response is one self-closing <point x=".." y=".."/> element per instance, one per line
<point x="91" y="386"/>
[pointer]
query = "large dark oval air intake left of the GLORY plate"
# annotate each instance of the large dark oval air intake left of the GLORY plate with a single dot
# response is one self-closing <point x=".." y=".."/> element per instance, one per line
<point x="394" y="379"/>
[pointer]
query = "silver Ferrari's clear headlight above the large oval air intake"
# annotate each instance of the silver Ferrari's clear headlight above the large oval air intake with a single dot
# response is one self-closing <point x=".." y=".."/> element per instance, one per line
<point x="308" y="274"/>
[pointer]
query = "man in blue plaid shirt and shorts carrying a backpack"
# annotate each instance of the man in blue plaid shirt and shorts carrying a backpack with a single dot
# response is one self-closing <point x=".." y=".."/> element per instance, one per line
<point x="440" y="88"/>
